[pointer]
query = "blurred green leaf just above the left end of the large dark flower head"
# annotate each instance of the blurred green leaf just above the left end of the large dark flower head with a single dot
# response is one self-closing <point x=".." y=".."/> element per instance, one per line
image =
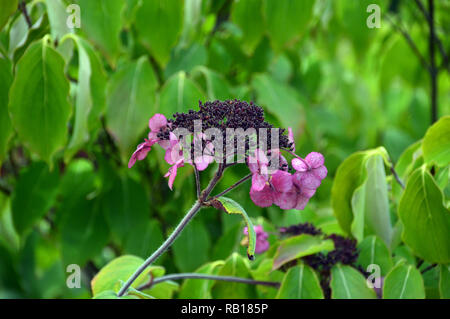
<point x="179" y="94"/>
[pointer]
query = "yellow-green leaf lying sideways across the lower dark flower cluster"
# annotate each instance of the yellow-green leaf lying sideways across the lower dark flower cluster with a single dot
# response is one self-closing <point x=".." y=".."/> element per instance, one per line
<point x="299" y="246"/>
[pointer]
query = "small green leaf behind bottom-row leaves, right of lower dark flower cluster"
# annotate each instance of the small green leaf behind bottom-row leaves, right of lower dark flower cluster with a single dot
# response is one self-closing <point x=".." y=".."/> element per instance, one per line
<point x="372" y="250"/>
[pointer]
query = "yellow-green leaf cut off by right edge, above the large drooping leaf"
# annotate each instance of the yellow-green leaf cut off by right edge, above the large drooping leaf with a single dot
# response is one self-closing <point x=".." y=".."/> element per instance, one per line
<point x="436" y="143"/>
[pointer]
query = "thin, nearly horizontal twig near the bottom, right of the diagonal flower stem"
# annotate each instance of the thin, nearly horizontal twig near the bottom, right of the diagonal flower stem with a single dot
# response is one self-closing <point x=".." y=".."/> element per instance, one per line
<point x="182" y="276"/>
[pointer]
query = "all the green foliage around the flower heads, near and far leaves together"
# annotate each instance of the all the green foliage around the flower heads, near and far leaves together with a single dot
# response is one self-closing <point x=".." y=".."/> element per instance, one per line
<point x="74" y="103"/>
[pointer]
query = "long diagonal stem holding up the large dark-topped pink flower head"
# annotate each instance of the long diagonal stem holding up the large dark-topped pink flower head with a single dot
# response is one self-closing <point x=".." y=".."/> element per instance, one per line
<point x="192" y="212"/>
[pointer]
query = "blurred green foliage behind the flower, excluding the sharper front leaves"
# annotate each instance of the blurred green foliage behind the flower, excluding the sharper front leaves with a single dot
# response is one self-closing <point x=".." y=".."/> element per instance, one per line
<point x="67" y="195"/>
